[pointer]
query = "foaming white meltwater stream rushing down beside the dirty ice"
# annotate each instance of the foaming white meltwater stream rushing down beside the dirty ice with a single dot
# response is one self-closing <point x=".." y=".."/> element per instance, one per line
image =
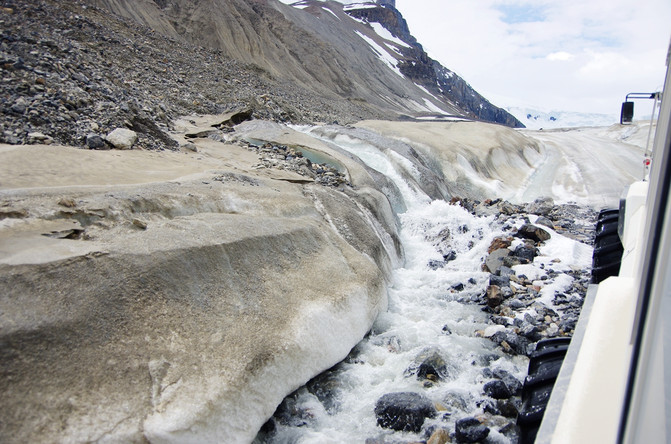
<point x="430" y="313"/>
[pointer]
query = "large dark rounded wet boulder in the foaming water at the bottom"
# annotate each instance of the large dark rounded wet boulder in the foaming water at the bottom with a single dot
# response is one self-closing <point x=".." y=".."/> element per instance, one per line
<point x="404" y="411"/>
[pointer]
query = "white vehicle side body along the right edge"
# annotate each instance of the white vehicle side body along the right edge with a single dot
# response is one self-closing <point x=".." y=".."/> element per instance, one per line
<point x="615" y="382"/>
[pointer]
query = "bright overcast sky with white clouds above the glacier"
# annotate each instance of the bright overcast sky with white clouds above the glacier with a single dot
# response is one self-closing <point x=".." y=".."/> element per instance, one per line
<point x="555" y="55"/>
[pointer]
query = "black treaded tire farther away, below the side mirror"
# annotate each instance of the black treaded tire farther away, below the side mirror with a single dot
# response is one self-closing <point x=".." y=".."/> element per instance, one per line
<point x="608" y="249"/>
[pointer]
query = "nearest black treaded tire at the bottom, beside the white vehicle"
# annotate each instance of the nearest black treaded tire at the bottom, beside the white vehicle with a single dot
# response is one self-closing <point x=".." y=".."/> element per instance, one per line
<point x="544" y="366"/>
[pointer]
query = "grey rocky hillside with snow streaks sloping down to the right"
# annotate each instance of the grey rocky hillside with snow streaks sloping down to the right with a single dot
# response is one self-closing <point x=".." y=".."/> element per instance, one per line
<point x="75" y="69"/>
